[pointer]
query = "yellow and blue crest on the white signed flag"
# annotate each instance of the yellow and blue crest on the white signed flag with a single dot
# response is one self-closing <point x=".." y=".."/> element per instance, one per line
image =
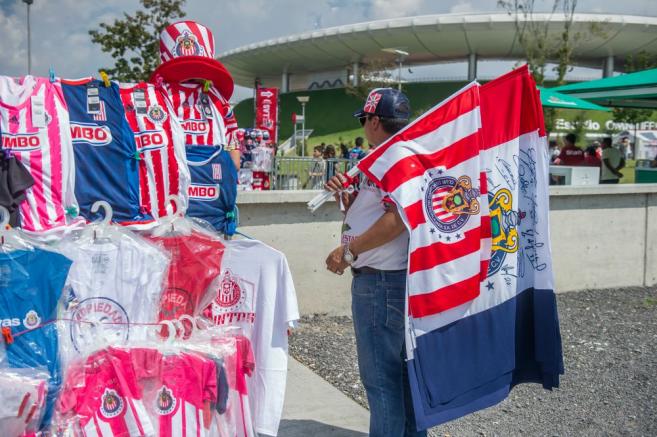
<point x="504" y="223"/>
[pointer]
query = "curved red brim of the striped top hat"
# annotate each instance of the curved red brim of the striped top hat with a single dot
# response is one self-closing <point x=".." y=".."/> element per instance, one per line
<point x="196" y="68"/>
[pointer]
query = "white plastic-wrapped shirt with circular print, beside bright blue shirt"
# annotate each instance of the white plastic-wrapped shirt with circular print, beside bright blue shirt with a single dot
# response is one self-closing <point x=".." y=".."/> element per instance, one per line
<point x="117" y="282"/>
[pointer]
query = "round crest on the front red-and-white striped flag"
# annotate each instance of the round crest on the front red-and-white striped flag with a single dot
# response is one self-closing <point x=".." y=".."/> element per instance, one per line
<point x="449" y="202"/>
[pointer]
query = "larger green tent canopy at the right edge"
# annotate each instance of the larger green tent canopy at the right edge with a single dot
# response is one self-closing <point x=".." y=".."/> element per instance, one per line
<point x="633" y="90"/>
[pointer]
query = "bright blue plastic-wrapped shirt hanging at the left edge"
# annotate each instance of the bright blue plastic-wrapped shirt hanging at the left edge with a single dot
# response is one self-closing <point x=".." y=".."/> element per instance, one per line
<point x="31" y="283"/>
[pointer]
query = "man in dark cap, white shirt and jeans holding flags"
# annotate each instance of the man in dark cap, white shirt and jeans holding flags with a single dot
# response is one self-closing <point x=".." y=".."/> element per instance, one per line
<point x="375" y="246"/>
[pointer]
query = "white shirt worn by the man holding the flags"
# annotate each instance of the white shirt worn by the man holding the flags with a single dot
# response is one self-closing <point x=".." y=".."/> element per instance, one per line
<point x="368" y="206"/>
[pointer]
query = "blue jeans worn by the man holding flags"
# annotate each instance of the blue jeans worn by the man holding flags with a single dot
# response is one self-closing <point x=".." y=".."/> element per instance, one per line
<point x="378" y="311"/>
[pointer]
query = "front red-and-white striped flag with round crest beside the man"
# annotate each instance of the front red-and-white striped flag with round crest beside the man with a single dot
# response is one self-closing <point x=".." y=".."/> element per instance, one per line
<point x="432" y="171"/>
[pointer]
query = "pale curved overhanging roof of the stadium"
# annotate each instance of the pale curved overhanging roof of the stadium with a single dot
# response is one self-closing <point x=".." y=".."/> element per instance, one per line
<point x="433" y="39"/>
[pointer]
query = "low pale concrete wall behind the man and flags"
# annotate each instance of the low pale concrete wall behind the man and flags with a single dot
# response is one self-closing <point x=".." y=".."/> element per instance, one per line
<point x="602" y="237"/>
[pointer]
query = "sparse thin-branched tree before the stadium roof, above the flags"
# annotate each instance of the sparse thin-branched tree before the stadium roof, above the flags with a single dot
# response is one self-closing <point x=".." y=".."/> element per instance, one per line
<point x="541" y="46"/>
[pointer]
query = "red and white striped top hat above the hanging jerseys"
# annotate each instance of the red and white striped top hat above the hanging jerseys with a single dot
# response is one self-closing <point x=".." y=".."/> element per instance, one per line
<point x="187" y="53"/>
